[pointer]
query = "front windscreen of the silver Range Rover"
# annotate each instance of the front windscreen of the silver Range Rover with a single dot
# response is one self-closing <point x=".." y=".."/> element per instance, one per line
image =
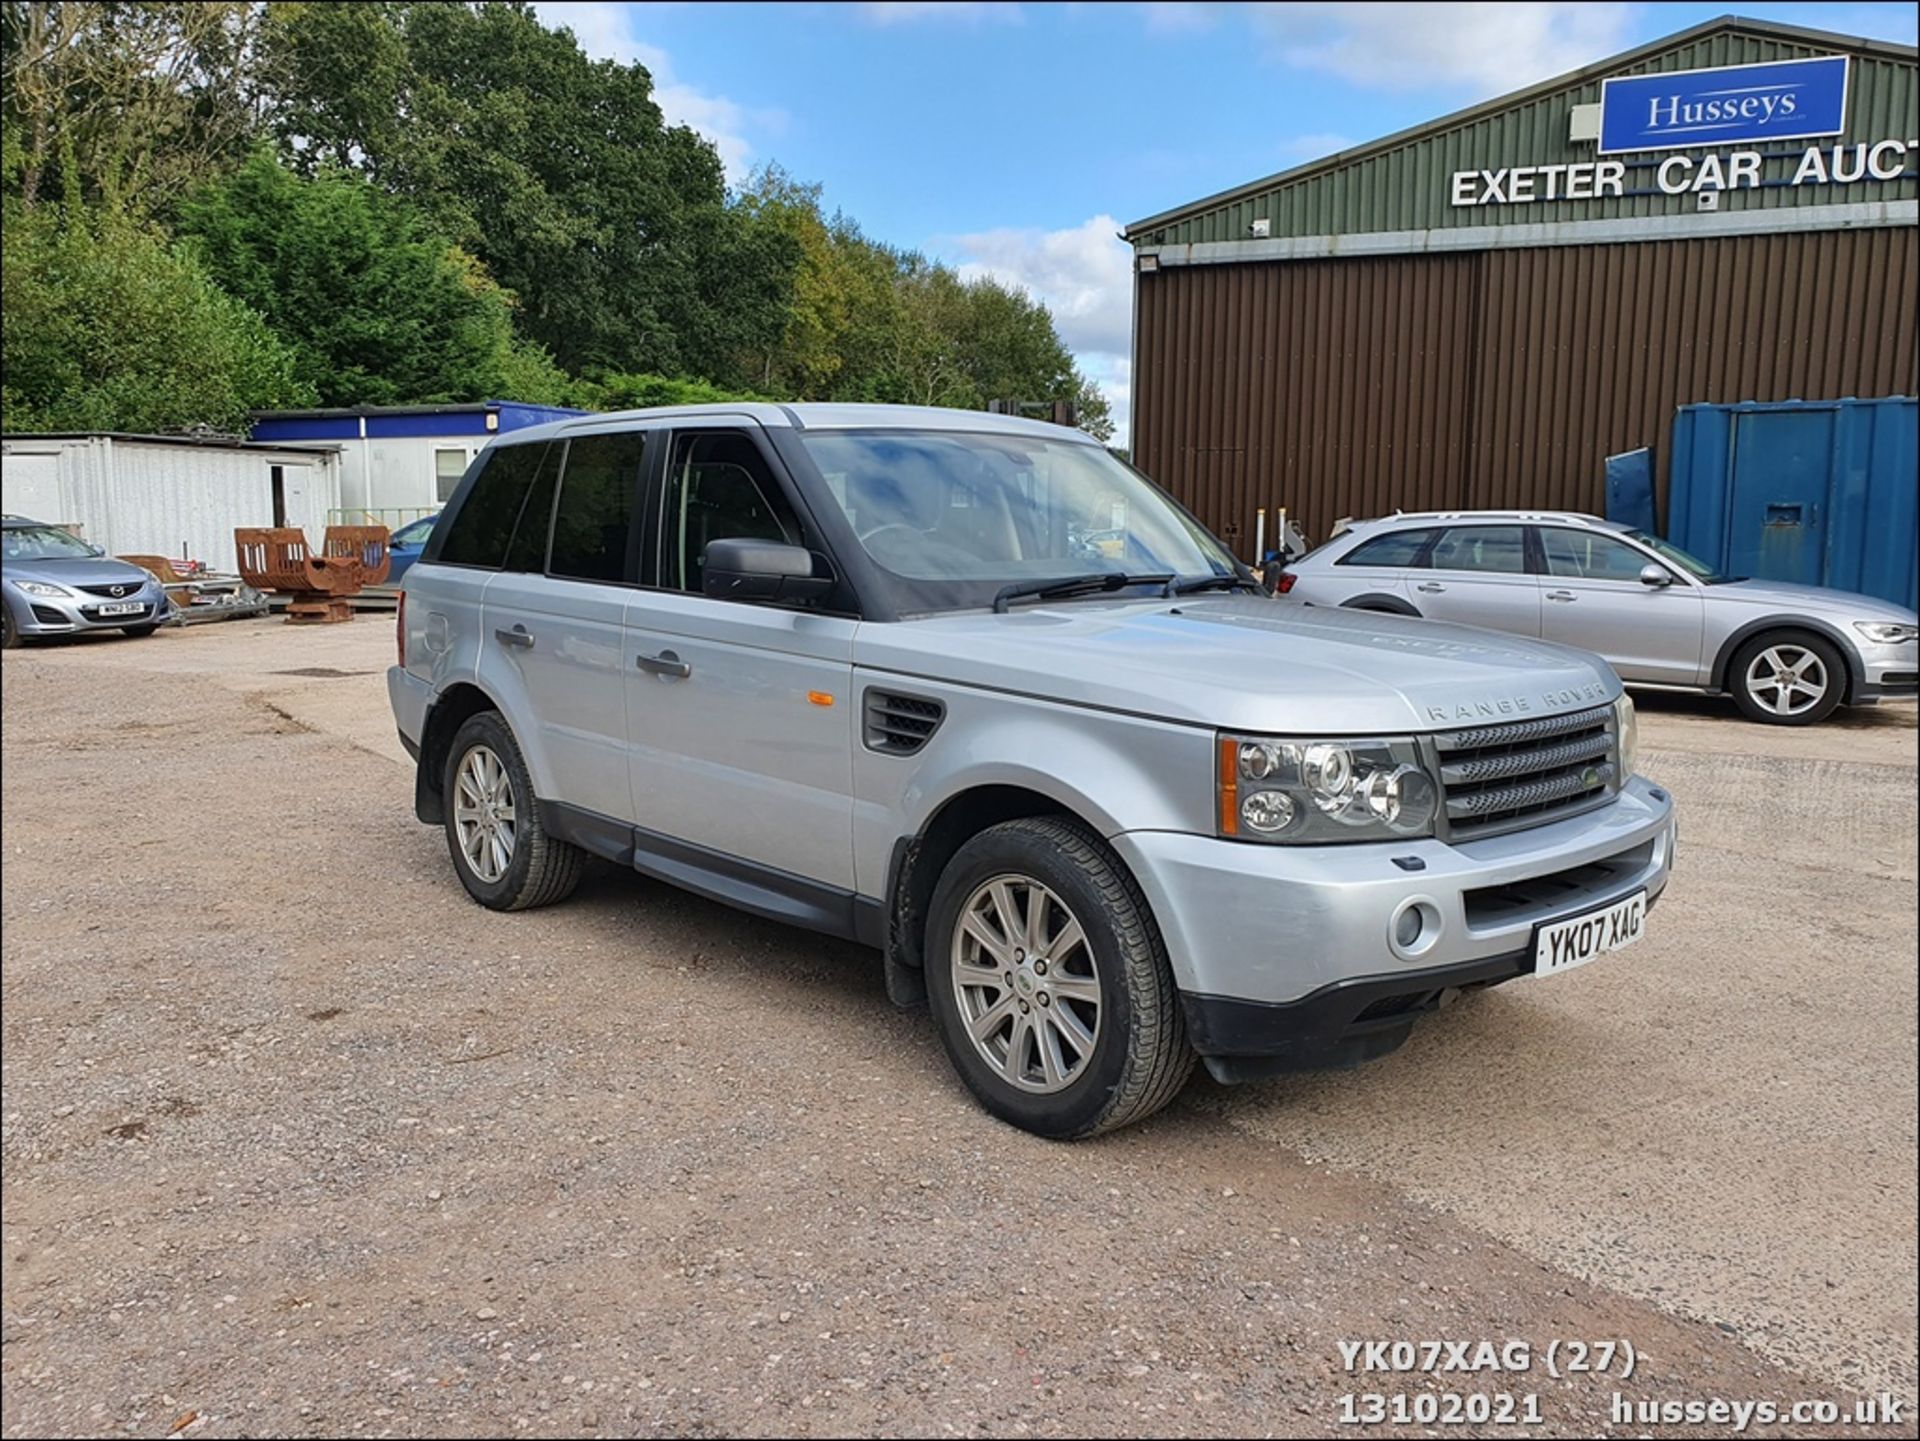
<point x="953" y="517"/>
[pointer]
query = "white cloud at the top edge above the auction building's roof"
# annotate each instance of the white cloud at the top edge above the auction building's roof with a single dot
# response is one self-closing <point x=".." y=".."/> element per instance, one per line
<point x="1408" y="47"/>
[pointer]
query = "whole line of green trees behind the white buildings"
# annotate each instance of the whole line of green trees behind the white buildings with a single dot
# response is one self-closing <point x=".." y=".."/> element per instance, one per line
<point x="391" y="202"/>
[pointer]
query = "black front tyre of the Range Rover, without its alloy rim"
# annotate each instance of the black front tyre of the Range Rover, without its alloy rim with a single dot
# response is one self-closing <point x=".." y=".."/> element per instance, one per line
<point x="1141" y="1054"/>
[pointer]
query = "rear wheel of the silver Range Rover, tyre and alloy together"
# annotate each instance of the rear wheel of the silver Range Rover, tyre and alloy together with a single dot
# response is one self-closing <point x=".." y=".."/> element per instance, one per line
<point x="500" y="849"/>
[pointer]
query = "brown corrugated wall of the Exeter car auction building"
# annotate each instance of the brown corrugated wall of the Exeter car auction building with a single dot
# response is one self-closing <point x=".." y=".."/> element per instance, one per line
<point x="1495" y="379"/>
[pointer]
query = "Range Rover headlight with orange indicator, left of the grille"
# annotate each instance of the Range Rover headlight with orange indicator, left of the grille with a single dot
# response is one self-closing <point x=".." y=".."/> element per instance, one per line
<point x="1324" y="791"/>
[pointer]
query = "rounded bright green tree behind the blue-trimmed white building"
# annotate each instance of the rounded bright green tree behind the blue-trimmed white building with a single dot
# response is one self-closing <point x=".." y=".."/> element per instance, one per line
<point x="377" y="308"/>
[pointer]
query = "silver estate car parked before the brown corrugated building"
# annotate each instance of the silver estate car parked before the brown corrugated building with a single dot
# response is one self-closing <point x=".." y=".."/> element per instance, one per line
<point x="1664" y="619"/>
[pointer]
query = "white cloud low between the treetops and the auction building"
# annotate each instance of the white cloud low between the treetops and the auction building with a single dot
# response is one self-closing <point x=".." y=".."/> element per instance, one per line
<point x="1084" y="275"/>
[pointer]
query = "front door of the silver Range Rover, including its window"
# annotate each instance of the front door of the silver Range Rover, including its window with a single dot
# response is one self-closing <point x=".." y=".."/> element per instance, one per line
<point x="740" y="717"/>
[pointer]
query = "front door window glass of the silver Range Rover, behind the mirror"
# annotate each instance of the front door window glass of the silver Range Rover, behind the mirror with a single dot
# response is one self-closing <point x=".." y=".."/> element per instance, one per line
<point x="717" y="490"/>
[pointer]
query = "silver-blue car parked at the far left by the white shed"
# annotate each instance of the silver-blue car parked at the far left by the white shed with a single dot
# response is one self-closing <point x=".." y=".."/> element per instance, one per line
<point x="53" y="584"/>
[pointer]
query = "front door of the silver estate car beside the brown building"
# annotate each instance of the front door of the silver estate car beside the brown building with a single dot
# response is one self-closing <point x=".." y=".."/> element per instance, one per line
<point x="1593" y="598"/>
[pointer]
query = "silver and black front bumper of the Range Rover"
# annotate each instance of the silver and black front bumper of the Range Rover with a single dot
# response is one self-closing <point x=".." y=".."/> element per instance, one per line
<point x="1285" y="953"/>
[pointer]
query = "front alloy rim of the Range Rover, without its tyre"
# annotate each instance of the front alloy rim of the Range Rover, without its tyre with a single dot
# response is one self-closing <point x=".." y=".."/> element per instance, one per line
<point x="1026" y="983"/>
